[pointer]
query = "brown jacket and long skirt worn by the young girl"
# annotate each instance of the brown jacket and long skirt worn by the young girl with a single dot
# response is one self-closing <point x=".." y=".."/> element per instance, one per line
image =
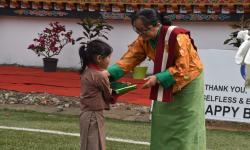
<point x="95" y="97"/>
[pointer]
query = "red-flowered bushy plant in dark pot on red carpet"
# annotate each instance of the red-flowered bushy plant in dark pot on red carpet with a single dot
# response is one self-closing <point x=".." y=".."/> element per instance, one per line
<point x="50" y="43"/>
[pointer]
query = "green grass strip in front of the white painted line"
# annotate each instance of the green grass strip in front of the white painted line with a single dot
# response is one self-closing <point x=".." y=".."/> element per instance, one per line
<point x="21" y="140"/>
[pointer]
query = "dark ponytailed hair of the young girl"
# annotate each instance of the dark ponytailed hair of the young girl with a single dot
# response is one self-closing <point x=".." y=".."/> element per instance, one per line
<point x="89" y="52"/>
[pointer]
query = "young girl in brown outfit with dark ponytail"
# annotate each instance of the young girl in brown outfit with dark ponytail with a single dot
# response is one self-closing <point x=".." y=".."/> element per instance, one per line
<point x="95" y="94"/>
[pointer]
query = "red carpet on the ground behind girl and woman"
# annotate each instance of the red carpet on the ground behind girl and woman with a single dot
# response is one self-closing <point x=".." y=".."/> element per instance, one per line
<point x="65" y="83"/>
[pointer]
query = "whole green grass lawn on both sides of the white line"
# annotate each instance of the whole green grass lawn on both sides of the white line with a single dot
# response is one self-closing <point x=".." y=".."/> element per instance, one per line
<point x="139" y="131"/>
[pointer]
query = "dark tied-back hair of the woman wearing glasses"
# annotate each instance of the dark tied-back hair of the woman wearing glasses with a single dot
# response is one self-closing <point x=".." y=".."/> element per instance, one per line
<point x="149" y="16"/>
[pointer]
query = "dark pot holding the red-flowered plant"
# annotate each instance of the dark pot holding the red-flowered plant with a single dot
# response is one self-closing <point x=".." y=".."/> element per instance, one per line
<point x="50" y="64"/>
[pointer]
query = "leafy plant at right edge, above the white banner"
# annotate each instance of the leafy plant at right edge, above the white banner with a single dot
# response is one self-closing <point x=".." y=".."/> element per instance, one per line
<point x="243" y="24"/>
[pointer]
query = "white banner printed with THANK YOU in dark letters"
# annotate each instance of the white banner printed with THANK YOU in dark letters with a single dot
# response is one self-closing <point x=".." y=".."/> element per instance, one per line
<point x="225" y="94"/>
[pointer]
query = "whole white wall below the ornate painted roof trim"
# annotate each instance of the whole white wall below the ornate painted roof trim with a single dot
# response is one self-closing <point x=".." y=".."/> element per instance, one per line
<point x="16" y="33"/>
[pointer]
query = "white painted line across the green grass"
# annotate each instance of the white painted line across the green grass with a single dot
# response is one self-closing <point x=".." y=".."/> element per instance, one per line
<point x="73" y="134"/>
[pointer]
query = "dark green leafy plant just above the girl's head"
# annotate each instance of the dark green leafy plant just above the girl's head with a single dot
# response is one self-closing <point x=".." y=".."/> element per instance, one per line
<point x="93" y="28"/>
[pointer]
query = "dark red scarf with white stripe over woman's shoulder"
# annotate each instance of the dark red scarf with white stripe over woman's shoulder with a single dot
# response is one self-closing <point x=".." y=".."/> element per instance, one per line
<point x="164" y="59"/>
